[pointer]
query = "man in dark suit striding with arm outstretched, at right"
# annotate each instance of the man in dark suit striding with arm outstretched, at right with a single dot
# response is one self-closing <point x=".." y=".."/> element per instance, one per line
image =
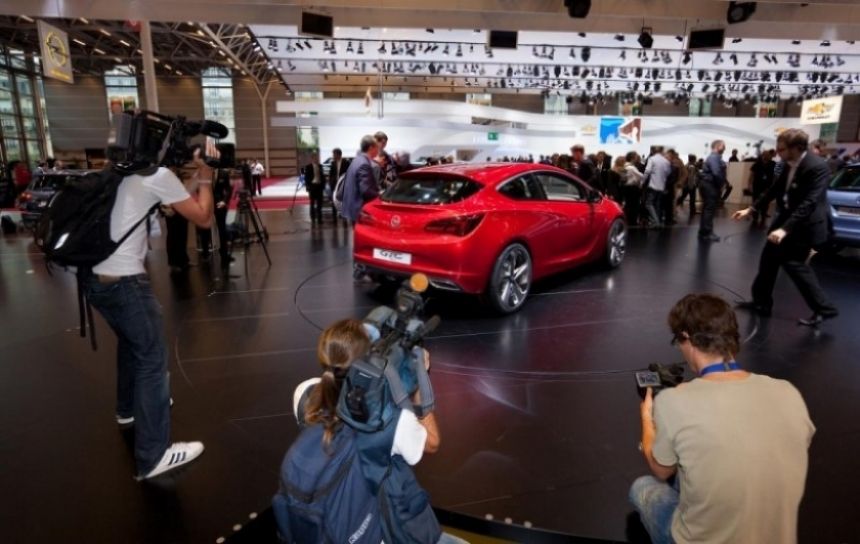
<point x="800" y="225"/>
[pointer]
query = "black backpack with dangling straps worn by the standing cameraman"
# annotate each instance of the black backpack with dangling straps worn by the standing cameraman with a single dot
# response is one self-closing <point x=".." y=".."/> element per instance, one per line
<point x="74" y="230"/>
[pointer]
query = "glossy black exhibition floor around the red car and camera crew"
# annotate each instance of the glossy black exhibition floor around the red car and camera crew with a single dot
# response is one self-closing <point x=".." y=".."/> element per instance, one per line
<point x="537" y="410"/>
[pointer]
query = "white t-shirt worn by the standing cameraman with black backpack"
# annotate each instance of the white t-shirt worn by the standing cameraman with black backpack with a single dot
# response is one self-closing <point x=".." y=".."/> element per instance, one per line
<point x="135" y="197"/>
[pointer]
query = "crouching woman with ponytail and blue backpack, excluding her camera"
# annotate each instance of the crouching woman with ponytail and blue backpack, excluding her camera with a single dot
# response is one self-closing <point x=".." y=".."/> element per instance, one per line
<point x="384" y="457"/>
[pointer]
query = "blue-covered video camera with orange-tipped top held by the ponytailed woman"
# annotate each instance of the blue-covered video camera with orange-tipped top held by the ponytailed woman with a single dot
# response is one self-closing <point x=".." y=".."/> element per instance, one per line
<point x="394" y="368"/>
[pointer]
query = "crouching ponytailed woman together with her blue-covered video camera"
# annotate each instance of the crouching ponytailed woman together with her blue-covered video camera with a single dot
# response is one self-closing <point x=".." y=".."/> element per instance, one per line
<point x="368" y="419"/>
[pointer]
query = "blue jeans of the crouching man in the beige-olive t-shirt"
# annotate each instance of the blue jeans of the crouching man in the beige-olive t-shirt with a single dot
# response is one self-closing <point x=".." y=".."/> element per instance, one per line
<point x="656" y="502"/>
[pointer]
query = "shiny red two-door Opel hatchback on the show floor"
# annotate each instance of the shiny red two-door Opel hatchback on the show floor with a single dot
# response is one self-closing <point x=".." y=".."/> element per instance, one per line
<point x="488" y="229"/>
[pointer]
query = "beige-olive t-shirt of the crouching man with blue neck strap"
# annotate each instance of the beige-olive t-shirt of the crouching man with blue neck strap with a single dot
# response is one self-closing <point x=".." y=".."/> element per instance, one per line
<point x="741" y="450"/>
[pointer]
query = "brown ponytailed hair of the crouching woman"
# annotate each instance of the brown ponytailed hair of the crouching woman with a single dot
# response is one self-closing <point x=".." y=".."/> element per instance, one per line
<point x="339" y="345"/>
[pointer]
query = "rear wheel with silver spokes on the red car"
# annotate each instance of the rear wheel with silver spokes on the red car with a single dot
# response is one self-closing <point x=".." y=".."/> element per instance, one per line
<point x="510" y="280"/>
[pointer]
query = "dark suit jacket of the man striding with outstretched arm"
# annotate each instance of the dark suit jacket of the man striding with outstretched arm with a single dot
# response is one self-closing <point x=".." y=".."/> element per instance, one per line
<point x="802" y="210"/>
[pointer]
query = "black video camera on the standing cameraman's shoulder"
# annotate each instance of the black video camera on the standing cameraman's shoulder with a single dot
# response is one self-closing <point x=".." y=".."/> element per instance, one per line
<point x="144" y="139"/>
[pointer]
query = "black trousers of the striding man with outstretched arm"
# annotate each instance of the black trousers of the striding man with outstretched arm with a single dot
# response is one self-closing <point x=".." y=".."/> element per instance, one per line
<point x="793" y="259"/>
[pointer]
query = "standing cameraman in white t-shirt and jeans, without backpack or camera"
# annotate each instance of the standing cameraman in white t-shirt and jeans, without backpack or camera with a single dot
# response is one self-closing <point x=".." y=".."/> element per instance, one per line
<point x="119" y="290"/>
